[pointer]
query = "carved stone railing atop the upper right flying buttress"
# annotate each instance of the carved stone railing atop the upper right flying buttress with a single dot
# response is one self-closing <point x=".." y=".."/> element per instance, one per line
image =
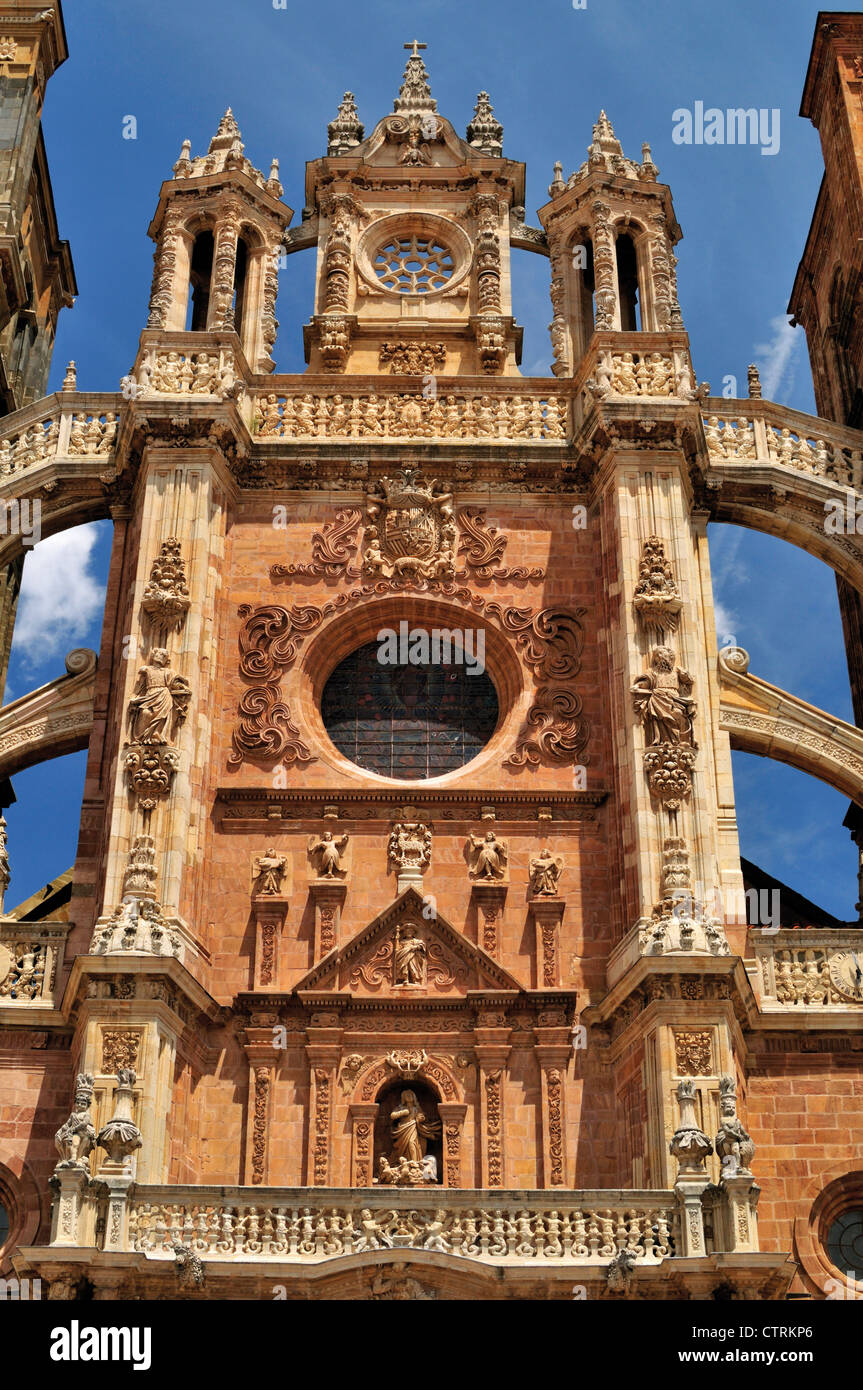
<point x="762" y="433"/>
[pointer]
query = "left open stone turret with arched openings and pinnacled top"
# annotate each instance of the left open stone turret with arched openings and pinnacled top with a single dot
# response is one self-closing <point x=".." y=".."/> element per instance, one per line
<point x="217" y="231"/>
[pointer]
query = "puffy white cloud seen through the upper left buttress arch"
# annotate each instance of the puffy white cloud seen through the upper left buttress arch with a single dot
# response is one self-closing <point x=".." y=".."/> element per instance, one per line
<point x="60" y="597"/>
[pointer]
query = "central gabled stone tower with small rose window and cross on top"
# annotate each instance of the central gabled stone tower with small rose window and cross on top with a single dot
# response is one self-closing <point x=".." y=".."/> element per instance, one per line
<point x="412" y="226"/>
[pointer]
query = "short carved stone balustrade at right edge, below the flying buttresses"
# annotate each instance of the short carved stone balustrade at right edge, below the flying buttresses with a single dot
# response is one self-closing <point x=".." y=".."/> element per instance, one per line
<point x="808" y="970"/>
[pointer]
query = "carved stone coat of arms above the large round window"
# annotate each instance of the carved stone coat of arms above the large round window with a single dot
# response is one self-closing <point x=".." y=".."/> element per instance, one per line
<point x="411" y="530"/>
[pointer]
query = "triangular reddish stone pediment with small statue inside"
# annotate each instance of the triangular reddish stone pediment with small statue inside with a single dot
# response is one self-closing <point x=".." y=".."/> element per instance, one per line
<point x="404" y="954"/>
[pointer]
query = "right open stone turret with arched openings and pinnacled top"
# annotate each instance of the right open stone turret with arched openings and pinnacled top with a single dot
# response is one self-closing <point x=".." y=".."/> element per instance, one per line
<point x="611" y="231"/>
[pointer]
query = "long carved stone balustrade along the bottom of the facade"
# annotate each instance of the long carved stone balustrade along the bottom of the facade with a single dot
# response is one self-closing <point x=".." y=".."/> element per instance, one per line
<point x="313" y="1225"/>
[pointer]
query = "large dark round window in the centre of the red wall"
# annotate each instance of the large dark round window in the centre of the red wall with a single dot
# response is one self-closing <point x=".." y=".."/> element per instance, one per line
<point x="413" y="721"/>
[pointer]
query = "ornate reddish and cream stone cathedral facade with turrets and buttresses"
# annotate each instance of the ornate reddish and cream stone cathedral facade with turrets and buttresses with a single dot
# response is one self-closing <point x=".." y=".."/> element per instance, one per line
<point x="409" y="953"/>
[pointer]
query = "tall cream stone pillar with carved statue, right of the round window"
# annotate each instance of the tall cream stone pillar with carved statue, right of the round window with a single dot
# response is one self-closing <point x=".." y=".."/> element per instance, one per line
<point x="673" y="796"/>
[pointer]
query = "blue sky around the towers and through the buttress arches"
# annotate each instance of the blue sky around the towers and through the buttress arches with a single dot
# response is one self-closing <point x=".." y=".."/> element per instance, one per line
<point x="550" y="69"/>
